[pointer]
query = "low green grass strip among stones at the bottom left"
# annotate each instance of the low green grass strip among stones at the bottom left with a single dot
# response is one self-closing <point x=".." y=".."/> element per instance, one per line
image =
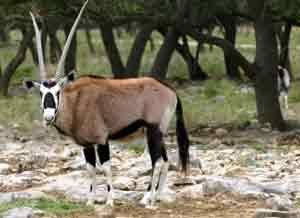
<point x="54" y="207"/>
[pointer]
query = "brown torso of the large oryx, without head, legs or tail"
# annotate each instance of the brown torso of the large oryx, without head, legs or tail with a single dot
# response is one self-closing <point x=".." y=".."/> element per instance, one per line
<point x="92" y="109"/>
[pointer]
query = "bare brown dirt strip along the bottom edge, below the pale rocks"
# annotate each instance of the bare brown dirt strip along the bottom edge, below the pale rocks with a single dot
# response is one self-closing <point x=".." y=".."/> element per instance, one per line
<point x="219" y="206"/>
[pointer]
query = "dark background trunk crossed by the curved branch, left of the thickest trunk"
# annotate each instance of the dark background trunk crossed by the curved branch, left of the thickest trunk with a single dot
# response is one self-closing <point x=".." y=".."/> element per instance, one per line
<point x="229" y="24"/>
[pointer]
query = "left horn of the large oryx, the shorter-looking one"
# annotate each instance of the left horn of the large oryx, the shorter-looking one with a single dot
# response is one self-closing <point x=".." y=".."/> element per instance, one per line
<point x="38" y="36"/>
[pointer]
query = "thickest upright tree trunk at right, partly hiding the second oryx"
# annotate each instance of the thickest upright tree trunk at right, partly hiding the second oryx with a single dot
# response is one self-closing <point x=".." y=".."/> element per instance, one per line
<point x="267" y="103"/>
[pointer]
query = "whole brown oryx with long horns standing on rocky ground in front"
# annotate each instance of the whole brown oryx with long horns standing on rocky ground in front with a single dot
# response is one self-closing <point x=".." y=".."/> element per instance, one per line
<point x="94" y="110"/>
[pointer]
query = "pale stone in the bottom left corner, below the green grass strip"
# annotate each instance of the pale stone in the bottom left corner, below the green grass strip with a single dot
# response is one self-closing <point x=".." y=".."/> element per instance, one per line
<point x="23" y="212"/>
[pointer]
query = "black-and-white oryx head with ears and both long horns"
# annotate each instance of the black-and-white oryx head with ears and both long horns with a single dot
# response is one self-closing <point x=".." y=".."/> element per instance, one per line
<point x="50" y="89"/>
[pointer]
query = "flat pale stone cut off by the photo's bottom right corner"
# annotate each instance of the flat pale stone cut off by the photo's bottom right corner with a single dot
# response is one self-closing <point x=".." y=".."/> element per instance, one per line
<point x="264" y="213"/>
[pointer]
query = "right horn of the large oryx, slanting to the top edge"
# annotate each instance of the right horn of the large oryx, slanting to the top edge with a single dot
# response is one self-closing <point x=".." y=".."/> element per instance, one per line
<point x="61" y="63"/>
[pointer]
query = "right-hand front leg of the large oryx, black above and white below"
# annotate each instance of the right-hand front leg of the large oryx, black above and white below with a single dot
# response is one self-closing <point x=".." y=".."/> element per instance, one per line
<point x="103" y="159"/>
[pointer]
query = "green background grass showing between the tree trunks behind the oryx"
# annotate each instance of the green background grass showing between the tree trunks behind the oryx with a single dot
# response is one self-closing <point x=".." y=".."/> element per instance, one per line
<point x="214" y="101"/>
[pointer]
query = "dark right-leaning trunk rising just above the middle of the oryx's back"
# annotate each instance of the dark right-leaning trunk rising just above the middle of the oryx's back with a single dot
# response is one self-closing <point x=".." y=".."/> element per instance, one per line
<point x="137" y="50"/>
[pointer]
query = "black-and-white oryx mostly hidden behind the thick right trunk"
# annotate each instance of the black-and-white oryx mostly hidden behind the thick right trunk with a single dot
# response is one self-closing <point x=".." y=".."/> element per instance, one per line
<point x="284" y="82"/>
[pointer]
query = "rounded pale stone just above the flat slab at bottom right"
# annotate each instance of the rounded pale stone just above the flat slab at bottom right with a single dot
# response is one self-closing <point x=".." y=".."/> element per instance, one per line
<point x="277" y="202"/>
